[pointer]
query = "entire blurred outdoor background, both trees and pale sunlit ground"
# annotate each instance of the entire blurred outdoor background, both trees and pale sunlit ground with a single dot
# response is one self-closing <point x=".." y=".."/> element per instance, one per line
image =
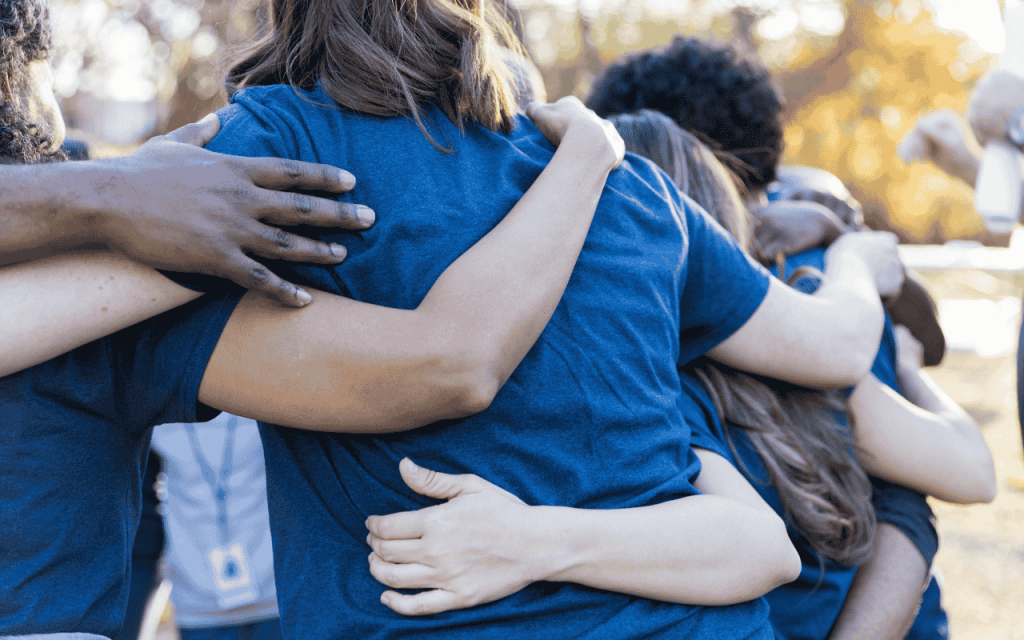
<point x="857" y="74"/>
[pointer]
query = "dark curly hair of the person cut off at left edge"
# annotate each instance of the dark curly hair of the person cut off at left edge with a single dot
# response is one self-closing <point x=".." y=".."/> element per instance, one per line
<point x="25" y="38"/>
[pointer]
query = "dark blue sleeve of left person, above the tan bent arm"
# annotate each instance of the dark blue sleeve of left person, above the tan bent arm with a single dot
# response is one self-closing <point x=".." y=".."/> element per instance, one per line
<point x="159" y="365"/>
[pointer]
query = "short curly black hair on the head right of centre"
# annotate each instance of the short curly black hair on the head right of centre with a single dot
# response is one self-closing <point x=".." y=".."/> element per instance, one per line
<point x="727" y="99"/>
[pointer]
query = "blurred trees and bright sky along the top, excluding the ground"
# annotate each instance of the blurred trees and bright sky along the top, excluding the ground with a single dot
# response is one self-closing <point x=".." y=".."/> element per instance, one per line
<point x="856" y="74"/>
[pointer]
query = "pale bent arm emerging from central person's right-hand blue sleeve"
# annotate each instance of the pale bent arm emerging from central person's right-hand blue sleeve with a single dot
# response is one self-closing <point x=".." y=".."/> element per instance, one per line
<point x="828" y="339"/>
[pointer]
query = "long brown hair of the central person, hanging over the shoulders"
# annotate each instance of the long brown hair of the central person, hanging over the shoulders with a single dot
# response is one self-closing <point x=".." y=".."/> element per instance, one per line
<point x="390" y="58"/>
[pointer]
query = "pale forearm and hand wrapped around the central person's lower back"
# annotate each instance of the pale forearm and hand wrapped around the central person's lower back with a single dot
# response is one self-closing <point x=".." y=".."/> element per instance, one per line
<point x="485" y="544"/>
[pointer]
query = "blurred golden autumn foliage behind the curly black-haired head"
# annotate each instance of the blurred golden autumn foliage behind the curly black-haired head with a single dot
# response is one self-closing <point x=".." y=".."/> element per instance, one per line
<point x="857" y="74"/>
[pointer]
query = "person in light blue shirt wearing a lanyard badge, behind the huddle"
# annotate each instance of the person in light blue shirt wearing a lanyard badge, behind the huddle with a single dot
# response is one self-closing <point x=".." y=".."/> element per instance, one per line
<point x="219" y="556"/>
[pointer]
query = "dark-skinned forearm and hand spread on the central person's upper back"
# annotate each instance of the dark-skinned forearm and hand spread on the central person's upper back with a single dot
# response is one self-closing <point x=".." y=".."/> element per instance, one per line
<point x="176" y="206"/>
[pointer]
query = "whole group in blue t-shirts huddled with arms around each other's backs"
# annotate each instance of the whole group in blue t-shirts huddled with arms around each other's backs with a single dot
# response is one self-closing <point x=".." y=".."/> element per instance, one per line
<point x="521" y="370"/>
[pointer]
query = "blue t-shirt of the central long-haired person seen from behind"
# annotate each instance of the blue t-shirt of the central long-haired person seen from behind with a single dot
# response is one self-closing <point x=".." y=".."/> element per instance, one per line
<point x="589" y="419"/>
